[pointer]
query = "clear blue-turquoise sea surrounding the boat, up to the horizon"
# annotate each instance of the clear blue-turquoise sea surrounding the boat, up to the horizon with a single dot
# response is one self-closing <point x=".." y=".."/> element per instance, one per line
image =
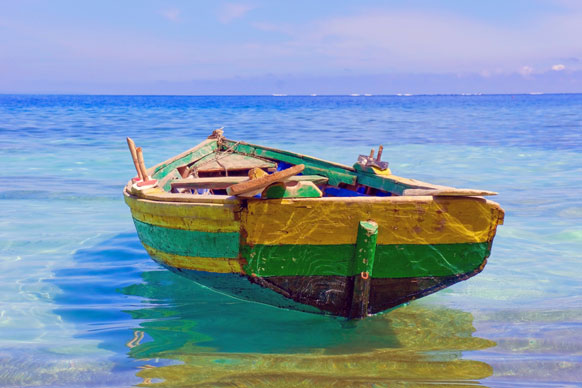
<point x="82" y="305"/>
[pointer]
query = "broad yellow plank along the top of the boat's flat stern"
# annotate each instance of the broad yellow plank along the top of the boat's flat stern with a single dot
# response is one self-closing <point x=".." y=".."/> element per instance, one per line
<point x="403" y="220"/>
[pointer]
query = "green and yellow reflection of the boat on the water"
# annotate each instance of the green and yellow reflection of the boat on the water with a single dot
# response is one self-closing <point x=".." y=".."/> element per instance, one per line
<point x="219" y="341"/>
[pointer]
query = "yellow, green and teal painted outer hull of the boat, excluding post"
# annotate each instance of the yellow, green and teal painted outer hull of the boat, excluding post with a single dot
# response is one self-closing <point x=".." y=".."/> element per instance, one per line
<point x="299" y="253"/>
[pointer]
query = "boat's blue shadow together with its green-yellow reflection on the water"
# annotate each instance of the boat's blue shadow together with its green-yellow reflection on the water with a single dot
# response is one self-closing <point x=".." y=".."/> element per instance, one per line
<point x="116" y="295"/>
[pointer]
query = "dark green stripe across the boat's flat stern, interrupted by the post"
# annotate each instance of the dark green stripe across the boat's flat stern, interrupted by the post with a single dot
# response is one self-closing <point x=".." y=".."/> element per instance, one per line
<point x="391" y="261"/>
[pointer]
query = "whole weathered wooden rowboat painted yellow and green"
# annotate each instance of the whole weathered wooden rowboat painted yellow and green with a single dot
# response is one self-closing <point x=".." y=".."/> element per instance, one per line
<point x="302" y="233"/>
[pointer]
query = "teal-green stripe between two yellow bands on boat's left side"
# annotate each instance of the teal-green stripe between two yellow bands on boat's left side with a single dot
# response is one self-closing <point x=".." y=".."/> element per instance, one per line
<point x="188" y="242"/>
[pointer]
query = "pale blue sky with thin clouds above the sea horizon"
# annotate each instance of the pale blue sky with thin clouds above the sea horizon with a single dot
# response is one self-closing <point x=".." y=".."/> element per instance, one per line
<point x="290" y="47"/>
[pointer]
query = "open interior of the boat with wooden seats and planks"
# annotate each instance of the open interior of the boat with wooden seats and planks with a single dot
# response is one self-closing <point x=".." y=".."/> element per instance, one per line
<point x="222" y="167"/>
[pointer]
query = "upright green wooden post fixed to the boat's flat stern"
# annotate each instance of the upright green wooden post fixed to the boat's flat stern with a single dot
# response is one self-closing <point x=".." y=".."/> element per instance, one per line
<point x="363" y="265"/>
